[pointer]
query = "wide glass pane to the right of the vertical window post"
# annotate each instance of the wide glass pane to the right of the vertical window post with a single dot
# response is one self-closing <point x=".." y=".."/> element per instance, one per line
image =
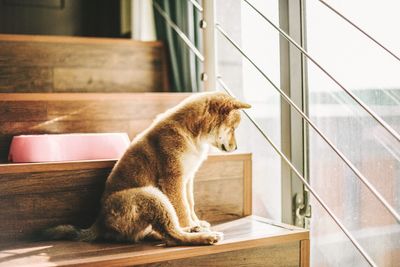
<point x="373" y="75"/>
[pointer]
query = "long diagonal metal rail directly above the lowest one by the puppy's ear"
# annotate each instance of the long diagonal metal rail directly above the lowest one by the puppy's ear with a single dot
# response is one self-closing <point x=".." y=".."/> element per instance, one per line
<point x="363" y="179"/>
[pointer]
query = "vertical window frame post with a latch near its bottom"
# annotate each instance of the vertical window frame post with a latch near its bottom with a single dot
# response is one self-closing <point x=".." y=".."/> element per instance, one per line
<point x="295" y="209"/>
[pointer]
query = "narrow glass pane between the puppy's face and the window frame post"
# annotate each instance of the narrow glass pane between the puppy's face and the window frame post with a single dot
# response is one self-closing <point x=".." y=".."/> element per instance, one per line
<point x="261" y="43"/>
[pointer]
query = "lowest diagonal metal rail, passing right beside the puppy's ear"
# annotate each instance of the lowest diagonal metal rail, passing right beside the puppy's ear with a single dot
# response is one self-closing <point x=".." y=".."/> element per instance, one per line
<point x="306" y="184"/>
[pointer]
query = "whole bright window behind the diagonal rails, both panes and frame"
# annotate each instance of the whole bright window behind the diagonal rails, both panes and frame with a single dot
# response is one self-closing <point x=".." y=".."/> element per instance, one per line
<point x="363" y="68"/>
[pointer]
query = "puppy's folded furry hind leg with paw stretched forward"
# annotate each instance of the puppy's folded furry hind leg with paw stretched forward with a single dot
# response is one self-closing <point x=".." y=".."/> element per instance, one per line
<point x="129" y="212"/>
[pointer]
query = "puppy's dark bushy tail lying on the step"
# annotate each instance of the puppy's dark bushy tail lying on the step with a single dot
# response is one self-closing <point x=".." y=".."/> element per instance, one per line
<point x="70" y="232"/>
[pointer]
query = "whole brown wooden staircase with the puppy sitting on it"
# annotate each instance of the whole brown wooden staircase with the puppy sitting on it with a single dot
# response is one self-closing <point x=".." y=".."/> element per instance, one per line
<point x="38" y="195"/>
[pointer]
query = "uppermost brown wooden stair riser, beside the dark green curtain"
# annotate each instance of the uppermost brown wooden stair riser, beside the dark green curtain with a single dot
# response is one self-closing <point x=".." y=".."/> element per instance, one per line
<point x="77" y="64"/>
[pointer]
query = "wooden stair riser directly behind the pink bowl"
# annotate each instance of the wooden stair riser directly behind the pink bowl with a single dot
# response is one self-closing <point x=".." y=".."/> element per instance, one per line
<point x="79" y="113"/>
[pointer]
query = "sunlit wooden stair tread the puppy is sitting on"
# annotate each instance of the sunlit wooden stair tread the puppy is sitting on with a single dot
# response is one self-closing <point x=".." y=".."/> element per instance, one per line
<point x="244" y="233"/>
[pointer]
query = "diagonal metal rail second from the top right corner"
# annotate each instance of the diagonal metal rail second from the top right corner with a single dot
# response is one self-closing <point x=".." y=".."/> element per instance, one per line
<point x="353" y="96"/>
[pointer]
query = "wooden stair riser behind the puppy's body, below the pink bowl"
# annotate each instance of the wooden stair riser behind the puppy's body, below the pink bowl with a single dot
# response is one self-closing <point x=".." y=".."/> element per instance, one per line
<point x="38" y="195"/>
